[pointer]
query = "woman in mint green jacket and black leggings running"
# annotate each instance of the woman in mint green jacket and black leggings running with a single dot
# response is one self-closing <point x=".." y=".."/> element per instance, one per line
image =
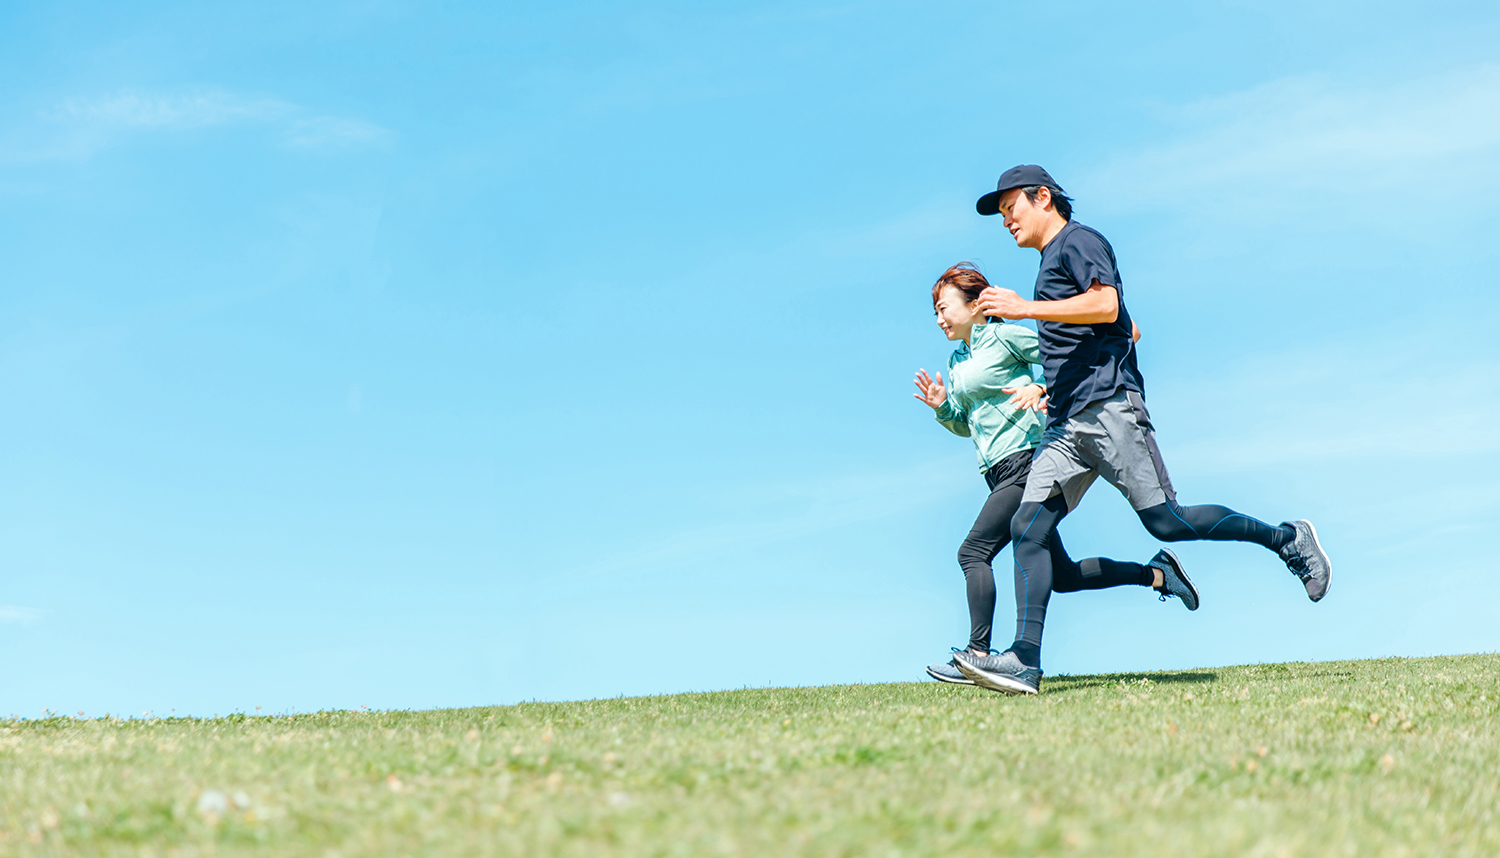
<point x="992" y="398"/>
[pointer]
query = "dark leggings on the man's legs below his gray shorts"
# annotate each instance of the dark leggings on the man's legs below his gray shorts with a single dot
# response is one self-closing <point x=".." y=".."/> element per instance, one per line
<point x="1036" y="535"/>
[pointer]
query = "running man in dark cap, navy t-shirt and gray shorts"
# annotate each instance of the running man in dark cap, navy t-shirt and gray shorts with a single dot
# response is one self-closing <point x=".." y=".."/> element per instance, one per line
<point x="1097" y="421"/>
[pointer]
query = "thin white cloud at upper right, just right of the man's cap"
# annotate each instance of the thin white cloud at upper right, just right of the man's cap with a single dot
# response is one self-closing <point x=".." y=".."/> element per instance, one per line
<point x="1313" y="134"/>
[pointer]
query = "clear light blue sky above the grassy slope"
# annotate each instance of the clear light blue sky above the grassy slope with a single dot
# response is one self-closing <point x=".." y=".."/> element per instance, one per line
<point x="415" y="356"/>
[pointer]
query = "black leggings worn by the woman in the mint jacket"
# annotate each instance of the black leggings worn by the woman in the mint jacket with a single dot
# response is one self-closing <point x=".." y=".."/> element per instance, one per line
<point x="992" y="533"/>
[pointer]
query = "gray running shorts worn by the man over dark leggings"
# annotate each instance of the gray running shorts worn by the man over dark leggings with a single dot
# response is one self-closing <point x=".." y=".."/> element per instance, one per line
<point x="1111" y="439"/>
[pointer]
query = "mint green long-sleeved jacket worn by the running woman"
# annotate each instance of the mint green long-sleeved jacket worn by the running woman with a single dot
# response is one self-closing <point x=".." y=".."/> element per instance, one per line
<point x="997" y="356"/>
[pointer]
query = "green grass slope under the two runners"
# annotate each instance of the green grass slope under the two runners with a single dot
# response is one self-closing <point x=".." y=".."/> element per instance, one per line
<point x="1351" y="758"/>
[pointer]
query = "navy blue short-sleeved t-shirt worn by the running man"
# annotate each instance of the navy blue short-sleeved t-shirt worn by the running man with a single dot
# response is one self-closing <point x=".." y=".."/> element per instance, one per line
<point x="1084" y="362"/>
